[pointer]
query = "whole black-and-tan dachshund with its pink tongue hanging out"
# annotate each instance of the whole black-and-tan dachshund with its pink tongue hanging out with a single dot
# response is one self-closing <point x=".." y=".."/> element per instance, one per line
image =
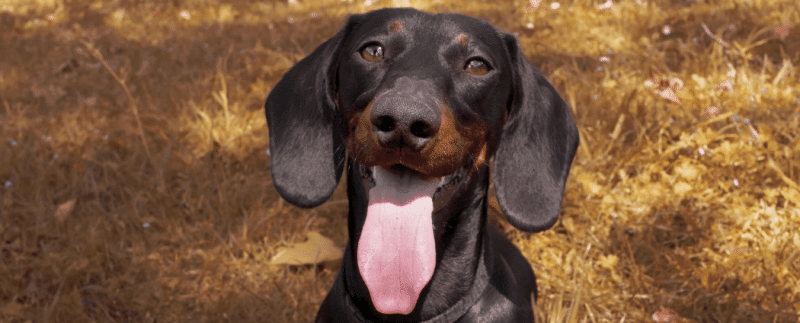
<point x="418" y="105"/>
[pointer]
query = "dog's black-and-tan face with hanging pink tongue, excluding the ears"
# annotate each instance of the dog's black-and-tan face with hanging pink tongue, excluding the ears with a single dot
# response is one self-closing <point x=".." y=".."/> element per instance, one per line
<point x="423" y="99"/>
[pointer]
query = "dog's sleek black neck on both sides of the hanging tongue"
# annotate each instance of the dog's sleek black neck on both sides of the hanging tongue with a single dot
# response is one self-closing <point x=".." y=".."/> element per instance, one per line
<point x="458" y="231"/>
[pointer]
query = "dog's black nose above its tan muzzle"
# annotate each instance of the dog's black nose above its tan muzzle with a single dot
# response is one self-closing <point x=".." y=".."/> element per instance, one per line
<point x="406" y="116"/>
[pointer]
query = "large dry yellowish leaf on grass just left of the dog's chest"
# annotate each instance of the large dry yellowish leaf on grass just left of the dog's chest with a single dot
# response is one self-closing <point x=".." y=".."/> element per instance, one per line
<point x="315" y="250"/>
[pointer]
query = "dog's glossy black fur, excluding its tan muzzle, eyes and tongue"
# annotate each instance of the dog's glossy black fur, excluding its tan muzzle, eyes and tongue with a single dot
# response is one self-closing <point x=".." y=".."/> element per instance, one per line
<point x="480" y="276"/>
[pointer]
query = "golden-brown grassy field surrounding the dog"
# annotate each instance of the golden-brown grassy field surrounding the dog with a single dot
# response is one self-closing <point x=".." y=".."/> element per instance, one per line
<point x="136" y="187"/>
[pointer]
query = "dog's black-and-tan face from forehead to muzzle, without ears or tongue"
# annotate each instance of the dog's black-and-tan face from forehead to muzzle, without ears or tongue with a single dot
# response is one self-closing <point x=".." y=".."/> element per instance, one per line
<point x="423" y="94"/>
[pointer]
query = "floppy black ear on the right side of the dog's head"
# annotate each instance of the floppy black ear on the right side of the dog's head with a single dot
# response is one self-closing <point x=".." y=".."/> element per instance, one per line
<point x="536" y="148"/>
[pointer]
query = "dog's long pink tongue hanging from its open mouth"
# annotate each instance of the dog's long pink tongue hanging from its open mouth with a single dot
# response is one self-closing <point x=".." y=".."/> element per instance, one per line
<point x="396" y="251"/>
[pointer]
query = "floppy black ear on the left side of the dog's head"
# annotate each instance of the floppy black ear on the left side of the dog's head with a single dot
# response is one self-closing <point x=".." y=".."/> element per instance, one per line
<point x="305" y="141"/>
